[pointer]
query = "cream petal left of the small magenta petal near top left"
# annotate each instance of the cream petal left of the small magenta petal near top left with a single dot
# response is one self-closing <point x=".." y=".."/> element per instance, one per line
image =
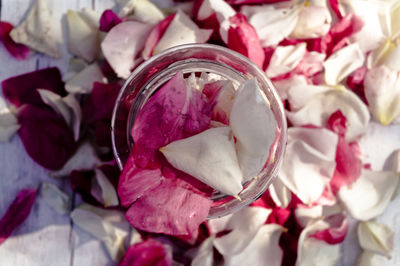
<point x="83" y="39"/>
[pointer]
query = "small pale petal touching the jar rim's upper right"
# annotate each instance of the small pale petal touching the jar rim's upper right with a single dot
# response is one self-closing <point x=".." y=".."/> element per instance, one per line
<point x="285" y="59"/>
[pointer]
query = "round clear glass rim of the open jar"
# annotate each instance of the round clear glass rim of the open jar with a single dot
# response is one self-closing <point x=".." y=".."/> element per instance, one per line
<point x="153" y="73"/>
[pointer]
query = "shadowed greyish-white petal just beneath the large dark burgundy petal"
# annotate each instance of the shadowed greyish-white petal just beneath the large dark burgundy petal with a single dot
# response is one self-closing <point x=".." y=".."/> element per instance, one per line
<point x="85" y="158"/>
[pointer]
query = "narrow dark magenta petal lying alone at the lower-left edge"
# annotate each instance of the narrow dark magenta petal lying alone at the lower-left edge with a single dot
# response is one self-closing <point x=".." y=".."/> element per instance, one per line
<point x="17" y="213"/>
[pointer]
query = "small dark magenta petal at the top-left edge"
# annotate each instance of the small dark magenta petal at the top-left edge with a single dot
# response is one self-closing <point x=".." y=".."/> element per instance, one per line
<point x="16" y="50"/>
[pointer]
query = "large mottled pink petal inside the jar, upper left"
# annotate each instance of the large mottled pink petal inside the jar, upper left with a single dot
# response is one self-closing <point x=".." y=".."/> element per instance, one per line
<point x="174" y="112"/>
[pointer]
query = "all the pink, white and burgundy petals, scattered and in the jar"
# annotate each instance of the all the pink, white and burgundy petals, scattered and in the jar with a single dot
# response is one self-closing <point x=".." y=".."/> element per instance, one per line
<point x="335" y="65"/>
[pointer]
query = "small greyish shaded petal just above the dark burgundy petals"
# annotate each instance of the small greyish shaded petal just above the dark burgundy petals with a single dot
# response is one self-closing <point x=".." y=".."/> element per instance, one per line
<point x="83" y="81"/>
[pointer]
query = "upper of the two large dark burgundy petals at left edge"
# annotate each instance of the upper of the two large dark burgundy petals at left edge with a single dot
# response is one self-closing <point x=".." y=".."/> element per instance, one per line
<point x="22" y="89"/>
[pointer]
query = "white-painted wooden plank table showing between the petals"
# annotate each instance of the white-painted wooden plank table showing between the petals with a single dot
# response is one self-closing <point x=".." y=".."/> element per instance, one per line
<point x="49" y="239"/>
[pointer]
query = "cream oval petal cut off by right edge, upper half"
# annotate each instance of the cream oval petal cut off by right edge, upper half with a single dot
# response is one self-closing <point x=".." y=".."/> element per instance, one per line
<point x="382" y="90"/>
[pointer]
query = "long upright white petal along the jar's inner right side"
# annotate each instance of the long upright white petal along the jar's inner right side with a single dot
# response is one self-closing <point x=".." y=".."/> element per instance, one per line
<point x="254" y="127"/>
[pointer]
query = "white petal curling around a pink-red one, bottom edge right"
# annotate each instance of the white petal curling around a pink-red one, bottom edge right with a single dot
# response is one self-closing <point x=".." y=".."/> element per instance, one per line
<point x="312" y="251"/>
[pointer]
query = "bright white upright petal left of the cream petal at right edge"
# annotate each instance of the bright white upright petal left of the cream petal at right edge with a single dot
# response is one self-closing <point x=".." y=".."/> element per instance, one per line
<point x="342" y="63"/>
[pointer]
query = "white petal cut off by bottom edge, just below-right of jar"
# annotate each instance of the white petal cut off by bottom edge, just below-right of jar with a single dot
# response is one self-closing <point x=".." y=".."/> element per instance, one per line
<point x="264" y="247"/>
